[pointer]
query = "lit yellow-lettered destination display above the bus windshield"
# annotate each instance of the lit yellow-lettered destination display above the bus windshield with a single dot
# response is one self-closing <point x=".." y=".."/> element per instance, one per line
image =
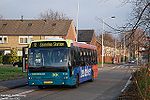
<point x="44" y="44"/>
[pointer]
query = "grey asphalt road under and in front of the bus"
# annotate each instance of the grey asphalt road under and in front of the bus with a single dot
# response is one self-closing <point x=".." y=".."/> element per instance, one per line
<point x="108" y="86"/>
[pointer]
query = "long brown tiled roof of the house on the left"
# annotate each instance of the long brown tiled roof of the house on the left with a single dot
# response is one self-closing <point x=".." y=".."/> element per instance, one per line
<point x="34" y="27"/>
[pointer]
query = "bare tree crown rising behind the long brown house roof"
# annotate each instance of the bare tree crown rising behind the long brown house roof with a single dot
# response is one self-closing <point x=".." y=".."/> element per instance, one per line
<point x="52" y="15"/>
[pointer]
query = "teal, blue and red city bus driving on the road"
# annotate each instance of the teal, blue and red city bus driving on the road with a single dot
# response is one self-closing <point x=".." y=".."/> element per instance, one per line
<point x="60" y="62"/>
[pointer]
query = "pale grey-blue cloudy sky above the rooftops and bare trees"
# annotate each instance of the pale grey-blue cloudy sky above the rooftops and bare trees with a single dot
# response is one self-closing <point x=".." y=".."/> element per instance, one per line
<point x="88" y="11"/>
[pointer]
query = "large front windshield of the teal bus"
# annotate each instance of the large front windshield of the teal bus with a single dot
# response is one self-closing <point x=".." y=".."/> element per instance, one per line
<point x="48" y="57"/>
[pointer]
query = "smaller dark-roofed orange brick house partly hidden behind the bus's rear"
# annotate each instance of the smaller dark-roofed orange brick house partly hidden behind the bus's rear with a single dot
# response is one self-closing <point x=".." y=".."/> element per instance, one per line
<point x="89" y="37"/>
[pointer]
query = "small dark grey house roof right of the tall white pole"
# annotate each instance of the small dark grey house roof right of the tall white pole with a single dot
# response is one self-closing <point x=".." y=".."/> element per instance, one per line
<point x="85" y="35"/>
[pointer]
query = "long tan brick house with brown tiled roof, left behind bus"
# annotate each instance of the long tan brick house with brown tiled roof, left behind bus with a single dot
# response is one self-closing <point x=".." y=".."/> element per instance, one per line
<point x="19" y="33"/>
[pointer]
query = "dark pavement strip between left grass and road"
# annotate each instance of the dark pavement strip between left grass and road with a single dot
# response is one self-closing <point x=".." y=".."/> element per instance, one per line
<point x="10" y="84"/>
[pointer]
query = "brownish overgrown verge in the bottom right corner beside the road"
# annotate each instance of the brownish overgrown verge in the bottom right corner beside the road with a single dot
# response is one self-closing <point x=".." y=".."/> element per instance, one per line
<point x="139" y="89"/>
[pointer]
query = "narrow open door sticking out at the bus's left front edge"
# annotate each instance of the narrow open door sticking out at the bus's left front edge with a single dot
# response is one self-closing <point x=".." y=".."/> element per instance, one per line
<point x="24" y="59"/>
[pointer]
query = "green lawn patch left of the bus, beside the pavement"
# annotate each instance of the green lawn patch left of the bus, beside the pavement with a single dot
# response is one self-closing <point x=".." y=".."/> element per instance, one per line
<point x="9" y="73"/>
